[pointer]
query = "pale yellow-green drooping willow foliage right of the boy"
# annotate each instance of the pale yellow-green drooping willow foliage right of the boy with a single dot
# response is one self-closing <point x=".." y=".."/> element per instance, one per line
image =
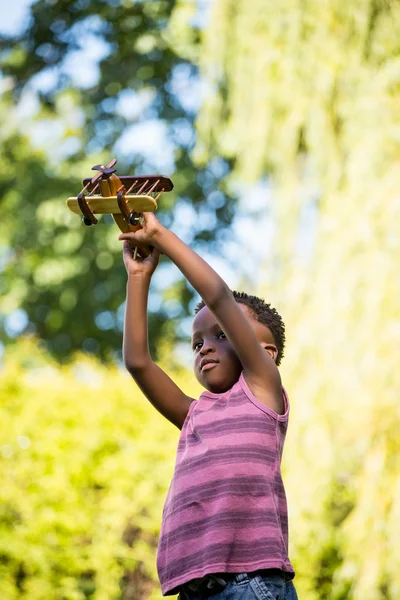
<point x="308" y="95"/>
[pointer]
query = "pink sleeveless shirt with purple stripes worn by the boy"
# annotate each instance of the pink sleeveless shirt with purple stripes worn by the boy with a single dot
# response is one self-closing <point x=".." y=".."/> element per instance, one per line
<point x="225" y="510"/>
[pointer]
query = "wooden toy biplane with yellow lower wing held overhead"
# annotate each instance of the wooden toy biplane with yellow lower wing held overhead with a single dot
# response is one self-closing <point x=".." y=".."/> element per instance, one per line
<point x="124" y="197"/>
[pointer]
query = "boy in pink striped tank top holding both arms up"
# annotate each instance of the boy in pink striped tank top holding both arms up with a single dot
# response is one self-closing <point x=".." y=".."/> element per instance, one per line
<point x="224" y="526"/>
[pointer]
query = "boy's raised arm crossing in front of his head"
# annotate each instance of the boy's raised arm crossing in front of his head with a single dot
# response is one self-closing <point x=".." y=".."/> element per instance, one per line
<point x="259" y="367"/>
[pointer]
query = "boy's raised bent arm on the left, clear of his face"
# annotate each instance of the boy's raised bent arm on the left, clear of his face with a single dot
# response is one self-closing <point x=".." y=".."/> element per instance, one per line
<point x="156" y="385"/>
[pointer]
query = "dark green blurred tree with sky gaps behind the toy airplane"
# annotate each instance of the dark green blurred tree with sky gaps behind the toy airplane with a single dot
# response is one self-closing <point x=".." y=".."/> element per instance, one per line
<point x="61" y="112"/>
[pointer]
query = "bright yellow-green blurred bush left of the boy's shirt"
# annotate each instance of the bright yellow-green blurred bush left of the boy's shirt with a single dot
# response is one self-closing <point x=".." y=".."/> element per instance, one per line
<point x="85" y="463"/>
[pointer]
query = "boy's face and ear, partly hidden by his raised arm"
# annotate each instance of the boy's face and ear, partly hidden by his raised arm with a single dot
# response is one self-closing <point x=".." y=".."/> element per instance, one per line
<point x="216" y="364"/>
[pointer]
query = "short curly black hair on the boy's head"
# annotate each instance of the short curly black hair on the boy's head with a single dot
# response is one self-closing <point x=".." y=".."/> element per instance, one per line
<point x="263" y="313"/>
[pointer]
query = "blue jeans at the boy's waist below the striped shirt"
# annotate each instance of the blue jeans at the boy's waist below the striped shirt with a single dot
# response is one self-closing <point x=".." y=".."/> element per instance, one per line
<point x="244" y="586"/>
